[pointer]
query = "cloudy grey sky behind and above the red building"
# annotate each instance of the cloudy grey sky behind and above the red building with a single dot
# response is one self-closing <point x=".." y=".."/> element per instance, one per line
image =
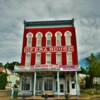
<point x="13" y="13"/>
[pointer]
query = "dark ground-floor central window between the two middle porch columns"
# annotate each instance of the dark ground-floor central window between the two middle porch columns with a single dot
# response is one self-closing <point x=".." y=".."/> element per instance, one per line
<point x="48" y="84"/>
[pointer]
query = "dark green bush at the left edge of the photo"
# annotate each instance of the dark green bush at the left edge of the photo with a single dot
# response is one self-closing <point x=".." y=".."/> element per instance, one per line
<point x="3" y="80"/>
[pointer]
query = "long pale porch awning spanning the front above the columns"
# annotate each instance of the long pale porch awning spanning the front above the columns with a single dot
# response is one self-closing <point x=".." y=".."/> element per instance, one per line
<point x="41" y="68"/>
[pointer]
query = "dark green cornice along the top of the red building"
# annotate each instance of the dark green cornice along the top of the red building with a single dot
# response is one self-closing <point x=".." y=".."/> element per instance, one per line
<point x="49" y="23"/>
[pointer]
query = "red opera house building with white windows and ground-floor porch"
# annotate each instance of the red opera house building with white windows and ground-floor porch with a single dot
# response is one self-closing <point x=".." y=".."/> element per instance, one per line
<point x="49" y="59"/>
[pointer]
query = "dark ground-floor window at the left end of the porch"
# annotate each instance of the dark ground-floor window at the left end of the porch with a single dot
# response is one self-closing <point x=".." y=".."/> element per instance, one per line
<point x="26" y="82"/>
